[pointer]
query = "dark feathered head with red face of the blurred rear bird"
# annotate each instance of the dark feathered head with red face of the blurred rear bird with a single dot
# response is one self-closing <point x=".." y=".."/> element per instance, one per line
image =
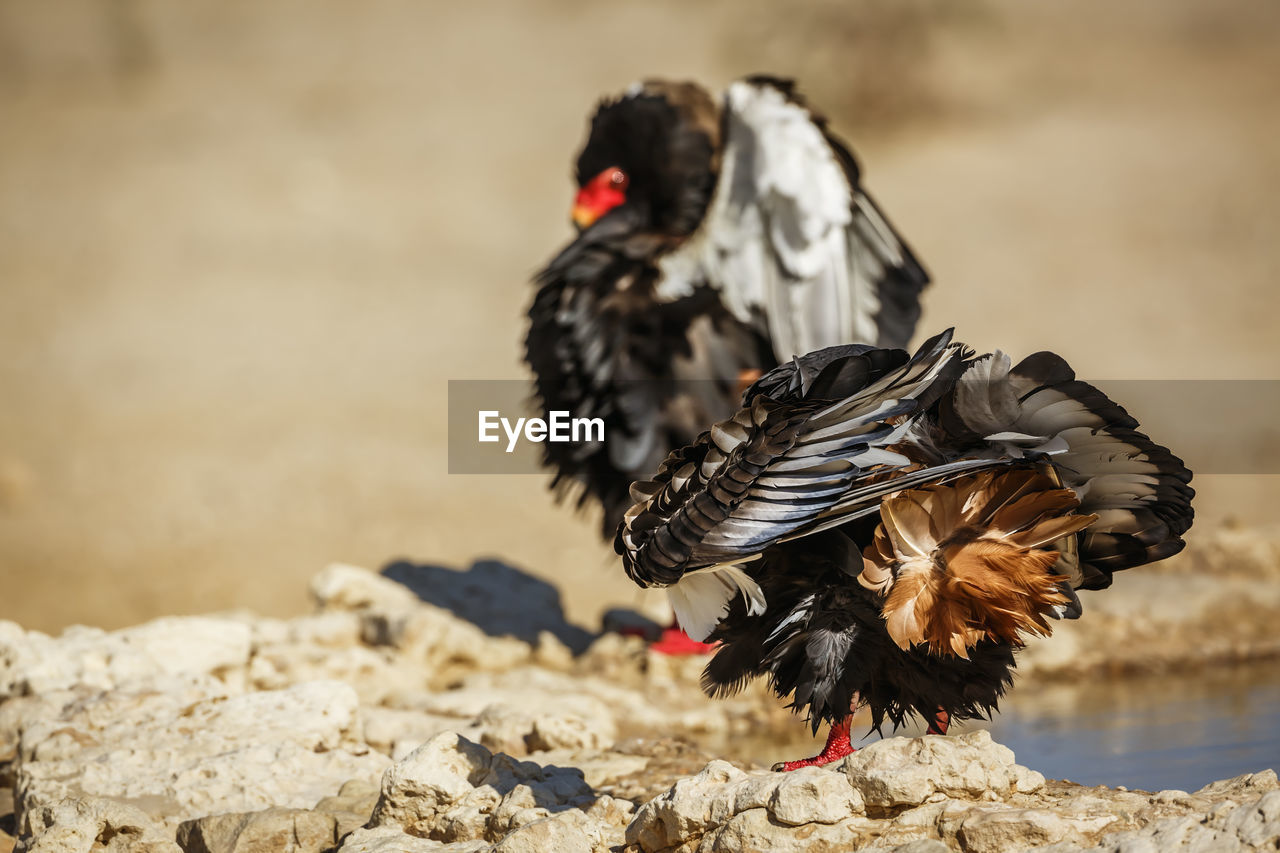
<point x="652" y="158"/>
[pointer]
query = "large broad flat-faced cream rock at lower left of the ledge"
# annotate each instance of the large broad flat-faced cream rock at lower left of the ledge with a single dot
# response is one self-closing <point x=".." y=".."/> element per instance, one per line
<point x="185" y="760"/>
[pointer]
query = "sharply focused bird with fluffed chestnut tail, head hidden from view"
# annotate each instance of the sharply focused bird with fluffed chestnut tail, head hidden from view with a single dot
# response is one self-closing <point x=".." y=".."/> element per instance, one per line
<point x="885" y="531"/>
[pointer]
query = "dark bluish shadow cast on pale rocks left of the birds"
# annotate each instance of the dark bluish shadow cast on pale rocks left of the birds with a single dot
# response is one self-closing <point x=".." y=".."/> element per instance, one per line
<point x="499" y="599"/>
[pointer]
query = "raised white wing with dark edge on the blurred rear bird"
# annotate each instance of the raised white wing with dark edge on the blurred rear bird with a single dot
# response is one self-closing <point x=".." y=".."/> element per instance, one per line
<point x="793" y="240"/>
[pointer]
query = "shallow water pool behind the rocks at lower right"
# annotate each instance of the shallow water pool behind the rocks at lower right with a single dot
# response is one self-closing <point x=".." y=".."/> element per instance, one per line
<point x="1148" y="733"/>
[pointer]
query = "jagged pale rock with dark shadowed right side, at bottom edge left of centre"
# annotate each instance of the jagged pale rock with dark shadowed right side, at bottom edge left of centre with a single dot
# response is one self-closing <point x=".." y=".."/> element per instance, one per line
<point x="452" y="790"/>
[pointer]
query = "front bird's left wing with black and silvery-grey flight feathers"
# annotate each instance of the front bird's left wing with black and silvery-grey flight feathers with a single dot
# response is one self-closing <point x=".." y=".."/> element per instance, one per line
<point x="787" y="466"/>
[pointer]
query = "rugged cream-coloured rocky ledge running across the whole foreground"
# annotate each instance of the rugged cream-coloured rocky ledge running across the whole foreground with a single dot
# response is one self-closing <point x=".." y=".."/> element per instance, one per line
<point x="386" y="723"/>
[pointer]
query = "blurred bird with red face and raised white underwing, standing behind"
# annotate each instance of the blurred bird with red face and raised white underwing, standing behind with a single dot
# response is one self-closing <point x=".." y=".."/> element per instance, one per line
<point x="719" y="239"/>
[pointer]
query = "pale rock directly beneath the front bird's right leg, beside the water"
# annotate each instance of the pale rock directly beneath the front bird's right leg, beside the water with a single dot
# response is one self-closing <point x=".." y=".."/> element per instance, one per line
<point x="900" y="772"/>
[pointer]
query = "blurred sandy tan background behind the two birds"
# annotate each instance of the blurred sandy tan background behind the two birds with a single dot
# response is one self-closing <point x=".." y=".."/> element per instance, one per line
<point x="245" y="245"/>
